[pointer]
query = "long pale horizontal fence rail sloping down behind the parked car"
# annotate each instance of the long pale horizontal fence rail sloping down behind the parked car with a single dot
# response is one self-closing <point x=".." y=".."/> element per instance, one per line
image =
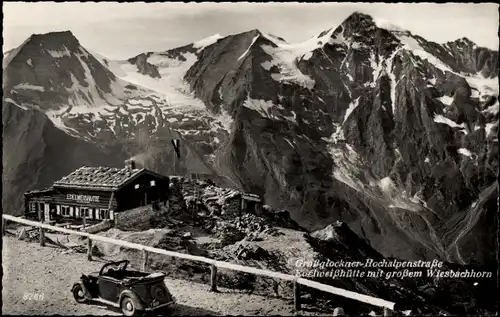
<point x="217" y="264"/>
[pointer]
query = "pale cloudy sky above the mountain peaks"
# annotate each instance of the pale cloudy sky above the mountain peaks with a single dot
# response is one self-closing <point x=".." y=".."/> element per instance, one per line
<point x="122" y="30"/>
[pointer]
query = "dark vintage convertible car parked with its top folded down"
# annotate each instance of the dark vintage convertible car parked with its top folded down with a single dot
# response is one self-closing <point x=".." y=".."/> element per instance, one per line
<point x="132" y="291"/>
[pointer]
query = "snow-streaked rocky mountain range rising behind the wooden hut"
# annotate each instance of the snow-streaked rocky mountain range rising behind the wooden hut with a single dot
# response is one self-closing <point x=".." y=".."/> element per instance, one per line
<point x="365" y="123"/>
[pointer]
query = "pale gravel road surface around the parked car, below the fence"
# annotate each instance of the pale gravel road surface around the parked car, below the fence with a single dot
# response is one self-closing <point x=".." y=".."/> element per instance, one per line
<point x="29" y="268"/>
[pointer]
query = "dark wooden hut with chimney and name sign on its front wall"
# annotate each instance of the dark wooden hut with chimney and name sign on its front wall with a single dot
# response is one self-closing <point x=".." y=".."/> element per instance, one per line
<point x="97" y="193"/>
